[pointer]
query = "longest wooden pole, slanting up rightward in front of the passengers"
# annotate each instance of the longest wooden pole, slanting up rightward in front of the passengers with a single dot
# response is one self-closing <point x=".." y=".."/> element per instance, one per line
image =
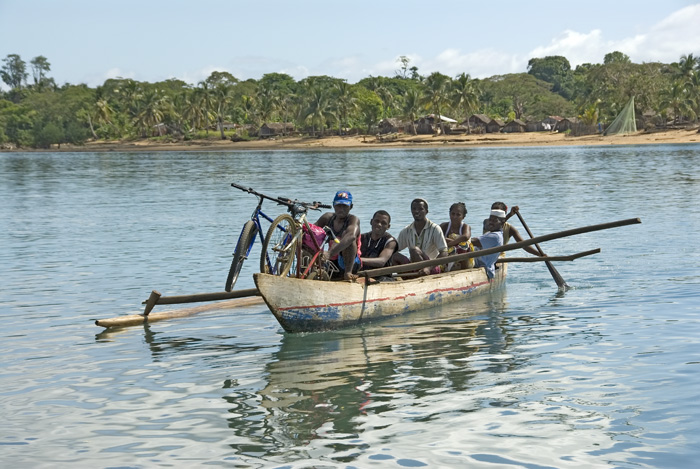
<point x="395" y="269"/>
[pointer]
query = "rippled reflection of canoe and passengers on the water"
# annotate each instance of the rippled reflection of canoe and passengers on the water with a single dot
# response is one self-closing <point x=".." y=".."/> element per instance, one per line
<point x="323" y="385"/>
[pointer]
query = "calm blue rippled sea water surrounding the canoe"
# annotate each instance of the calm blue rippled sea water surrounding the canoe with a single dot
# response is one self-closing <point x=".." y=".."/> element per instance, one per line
<point x="606" y="374"/>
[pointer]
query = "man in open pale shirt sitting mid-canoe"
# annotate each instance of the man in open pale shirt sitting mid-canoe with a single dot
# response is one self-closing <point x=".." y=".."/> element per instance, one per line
<point x="423" y="238"/>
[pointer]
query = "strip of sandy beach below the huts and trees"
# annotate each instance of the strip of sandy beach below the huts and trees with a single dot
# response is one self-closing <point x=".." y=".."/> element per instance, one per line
<point x="532" y="139"/>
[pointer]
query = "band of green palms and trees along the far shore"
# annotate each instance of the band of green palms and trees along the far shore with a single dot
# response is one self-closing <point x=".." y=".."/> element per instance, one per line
<point x="36" y="112"/>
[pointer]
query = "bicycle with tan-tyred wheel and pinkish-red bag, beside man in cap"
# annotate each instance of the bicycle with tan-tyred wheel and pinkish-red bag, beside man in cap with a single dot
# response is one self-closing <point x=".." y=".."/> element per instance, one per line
<point x="295" y="245"/>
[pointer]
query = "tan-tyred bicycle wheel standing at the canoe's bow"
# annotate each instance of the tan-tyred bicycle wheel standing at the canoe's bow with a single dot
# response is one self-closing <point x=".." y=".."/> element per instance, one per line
<point x="279" y="247"/>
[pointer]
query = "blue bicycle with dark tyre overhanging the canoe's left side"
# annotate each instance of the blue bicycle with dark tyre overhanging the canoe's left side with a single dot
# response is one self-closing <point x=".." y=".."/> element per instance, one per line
<point x="272" y="260"/>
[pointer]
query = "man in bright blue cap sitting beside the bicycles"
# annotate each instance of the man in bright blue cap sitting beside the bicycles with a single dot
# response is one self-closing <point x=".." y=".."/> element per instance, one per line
<point x="346" y="229"/>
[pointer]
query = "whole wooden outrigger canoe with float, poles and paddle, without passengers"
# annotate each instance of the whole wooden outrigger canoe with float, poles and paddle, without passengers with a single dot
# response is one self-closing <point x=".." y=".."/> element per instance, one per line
<point x="302" y="305"/>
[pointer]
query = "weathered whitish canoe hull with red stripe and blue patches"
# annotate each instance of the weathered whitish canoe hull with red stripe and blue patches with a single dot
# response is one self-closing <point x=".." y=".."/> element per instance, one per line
<point x="309" y="305"/>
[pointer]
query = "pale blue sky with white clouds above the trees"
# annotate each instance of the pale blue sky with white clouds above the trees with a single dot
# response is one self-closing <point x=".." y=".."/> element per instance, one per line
<point x="89" y="41"/>
